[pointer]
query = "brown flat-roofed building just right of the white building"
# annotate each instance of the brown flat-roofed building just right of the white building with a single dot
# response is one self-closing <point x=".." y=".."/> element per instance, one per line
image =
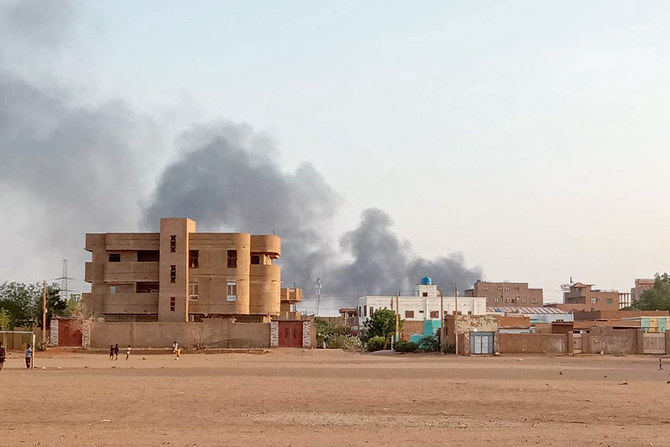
<point x="507" y="294"/>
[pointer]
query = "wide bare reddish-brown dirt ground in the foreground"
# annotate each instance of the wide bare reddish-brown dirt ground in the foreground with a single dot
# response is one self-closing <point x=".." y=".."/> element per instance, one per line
<point x="333" y="398"/>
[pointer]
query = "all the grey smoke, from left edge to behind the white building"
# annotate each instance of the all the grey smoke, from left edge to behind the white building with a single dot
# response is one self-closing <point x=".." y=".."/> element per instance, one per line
<point x="84" y="168"/>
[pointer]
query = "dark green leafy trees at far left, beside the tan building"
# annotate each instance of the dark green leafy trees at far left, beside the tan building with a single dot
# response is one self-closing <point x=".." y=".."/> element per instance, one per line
<point x="23" y="303"/>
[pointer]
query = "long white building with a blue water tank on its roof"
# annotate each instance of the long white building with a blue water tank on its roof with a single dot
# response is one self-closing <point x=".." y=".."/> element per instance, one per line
<point x="423" y="305"/>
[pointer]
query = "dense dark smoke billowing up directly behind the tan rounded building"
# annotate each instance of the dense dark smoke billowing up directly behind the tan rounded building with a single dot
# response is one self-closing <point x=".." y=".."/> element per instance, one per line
<point x="228" y="178"/>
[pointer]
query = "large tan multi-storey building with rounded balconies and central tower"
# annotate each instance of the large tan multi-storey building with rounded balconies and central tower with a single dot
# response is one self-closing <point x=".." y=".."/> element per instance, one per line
<point x="181" y="275"/>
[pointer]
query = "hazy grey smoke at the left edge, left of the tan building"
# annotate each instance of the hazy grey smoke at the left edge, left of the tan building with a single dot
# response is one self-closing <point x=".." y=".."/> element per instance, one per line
<point x="66" y="167"/>
